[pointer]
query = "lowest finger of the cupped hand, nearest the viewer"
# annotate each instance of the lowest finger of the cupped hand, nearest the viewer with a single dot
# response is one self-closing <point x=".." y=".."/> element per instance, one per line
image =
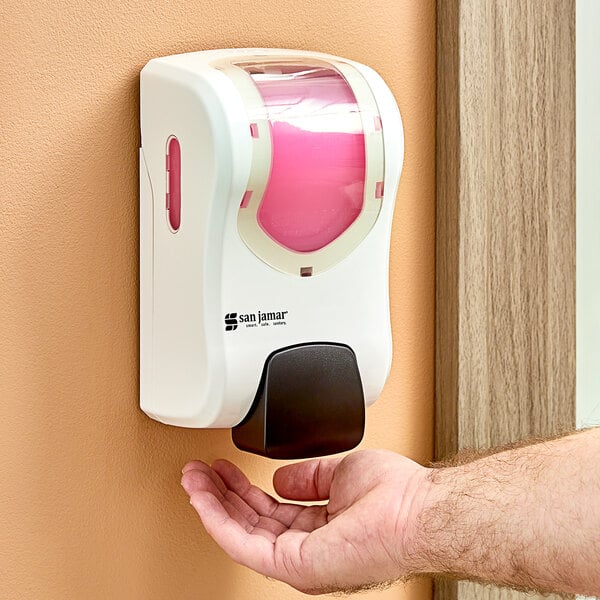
<point x="253" y="551"/>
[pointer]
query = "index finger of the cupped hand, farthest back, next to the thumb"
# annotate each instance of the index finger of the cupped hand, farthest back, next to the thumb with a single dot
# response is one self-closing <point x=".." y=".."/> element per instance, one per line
<point x="256" y="498"/>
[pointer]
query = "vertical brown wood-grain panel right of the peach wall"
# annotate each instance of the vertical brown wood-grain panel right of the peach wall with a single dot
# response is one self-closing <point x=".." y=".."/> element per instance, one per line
<point x="505" y="332"/>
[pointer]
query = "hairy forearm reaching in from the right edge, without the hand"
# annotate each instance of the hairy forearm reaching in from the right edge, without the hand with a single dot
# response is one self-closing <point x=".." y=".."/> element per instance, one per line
<point x="527" y="517"/>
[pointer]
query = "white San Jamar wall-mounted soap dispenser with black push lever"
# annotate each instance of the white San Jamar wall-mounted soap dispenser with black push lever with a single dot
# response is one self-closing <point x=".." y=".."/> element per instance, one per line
<point x="267" y="187"/>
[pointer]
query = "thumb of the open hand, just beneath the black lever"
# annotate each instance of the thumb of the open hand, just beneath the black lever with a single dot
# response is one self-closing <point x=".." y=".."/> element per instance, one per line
<point x="308" y="480"/>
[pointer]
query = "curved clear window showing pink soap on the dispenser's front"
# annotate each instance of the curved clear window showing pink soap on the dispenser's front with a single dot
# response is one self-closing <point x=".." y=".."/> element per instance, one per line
<point x="316" y="185"/>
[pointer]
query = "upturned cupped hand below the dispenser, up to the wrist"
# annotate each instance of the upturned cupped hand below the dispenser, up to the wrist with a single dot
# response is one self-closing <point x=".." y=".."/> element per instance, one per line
<point x="364" y="536"/>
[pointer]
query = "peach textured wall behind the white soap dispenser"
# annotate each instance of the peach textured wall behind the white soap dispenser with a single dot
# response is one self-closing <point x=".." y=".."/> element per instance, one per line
<point x="90" y="502"/>
